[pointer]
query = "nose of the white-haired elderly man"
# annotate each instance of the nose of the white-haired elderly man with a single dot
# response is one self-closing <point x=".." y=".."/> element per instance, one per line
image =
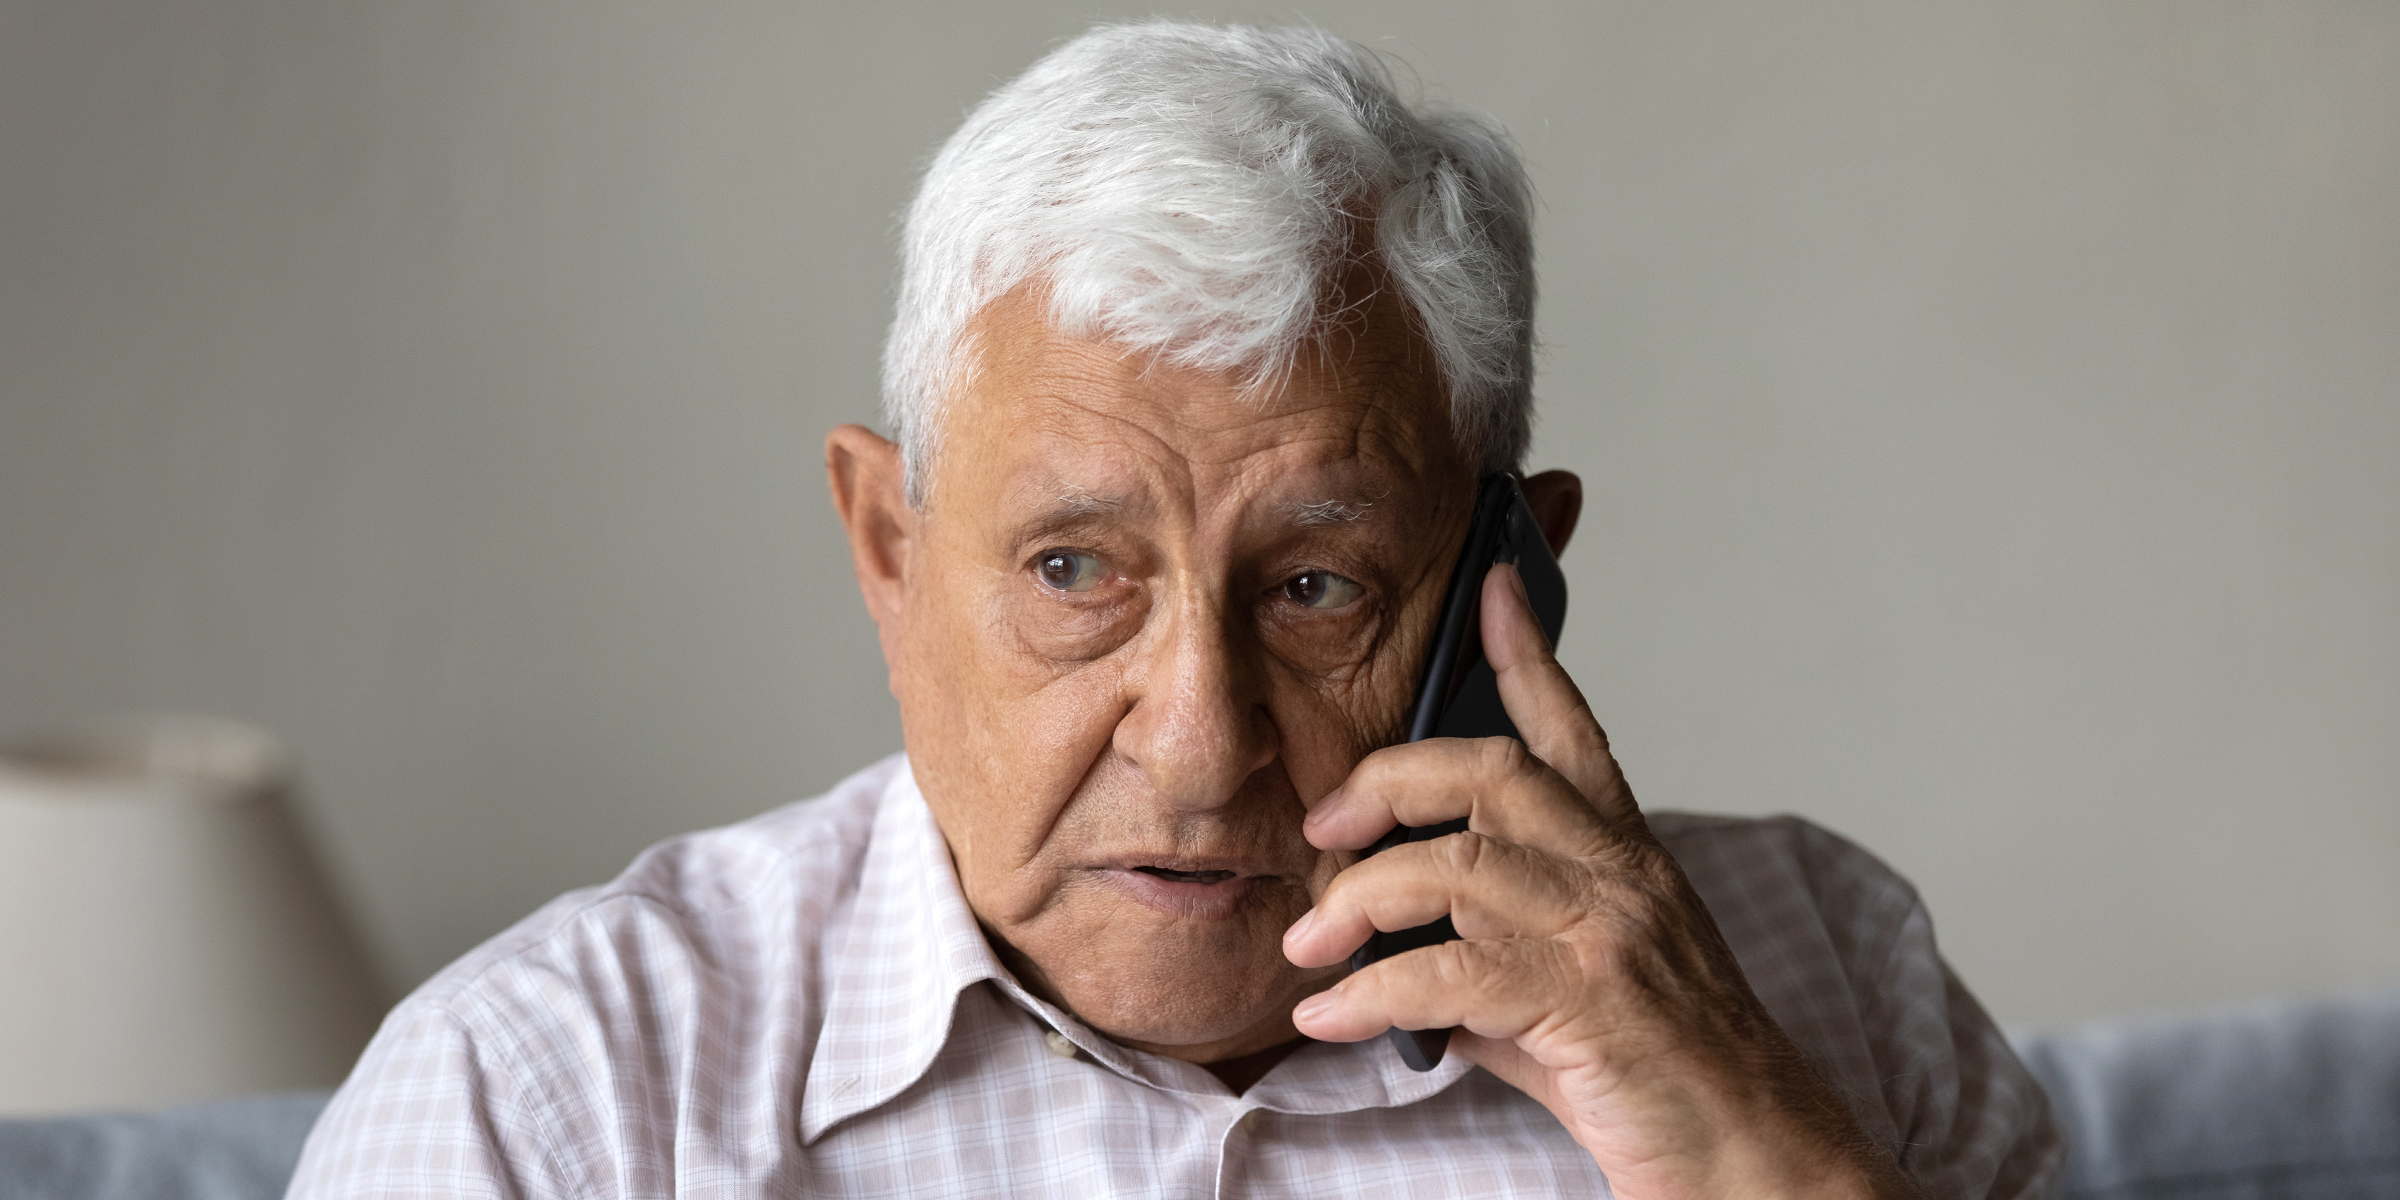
<point x="1199" y="721"/>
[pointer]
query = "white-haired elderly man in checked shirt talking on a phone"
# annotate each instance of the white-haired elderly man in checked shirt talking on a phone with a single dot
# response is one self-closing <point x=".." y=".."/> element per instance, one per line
<point x="1204" y="347"/>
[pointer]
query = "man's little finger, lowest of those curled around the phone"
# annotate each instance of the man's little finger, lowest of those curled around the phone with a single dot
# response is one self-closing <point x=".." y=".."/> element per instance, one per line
<point x="1487" y="988"/>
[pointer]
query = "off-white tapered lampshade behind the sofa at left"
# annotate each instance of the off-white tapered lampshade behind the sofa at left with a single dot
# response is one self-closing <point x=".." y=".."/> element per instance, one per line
<point x="164" y="928"/>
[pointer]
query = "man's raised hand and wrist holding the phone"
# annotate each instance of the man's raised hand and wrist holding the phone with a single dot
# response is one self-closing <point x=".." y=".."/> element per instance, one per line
<point x="1590" y="973"/>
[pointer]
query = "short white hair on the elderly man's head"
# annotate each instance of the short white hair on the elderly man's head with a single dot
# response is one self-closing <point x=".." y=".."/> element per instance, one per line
<point x="1194" y="191"/>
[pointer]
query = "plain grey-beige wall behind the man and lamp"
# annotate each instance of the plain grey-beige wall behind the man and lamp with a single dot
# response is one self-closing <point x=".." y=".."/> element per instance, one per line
<point x="1988" y="414"/>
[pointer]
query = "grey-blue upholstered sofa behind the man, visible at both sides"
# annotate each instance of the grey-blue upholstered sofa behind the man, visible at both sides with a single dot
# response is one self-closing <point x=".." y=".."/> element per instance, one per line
<point x="2288" y="1103"/>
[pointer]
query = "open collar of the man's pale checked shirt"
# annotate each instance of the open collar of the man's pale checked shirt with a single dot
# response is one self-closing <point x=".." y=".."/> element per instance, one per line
<point x="913" y="947"/>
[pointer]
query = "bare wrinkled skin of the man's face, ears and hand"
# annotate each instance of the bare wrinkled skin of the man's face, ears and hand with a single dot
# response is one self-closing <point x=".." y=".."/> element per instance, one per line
<point x="1153" y="642"/>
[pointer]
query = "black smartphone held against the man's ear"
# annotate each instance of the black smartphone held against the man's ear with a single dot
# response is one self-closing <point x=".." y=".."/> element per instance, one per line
<point x="1460" y="697"/>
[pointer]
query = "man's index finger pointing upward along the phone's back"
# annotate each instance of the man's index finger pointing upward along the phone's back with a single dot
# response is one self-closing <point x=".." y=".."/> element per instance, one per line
<point x="1542" y="700"/>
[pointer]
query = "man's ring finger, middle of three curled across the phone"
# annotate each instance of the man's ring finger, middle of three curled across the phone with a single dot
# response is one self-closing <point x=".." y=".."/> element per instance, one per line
<point x="1489" y="889"/>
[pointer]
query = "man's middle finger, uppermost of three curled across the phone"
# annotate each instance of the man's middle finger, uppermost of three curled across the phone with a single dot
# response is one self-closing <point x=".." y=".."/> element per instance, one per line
<point x="1492" y="781"/>
